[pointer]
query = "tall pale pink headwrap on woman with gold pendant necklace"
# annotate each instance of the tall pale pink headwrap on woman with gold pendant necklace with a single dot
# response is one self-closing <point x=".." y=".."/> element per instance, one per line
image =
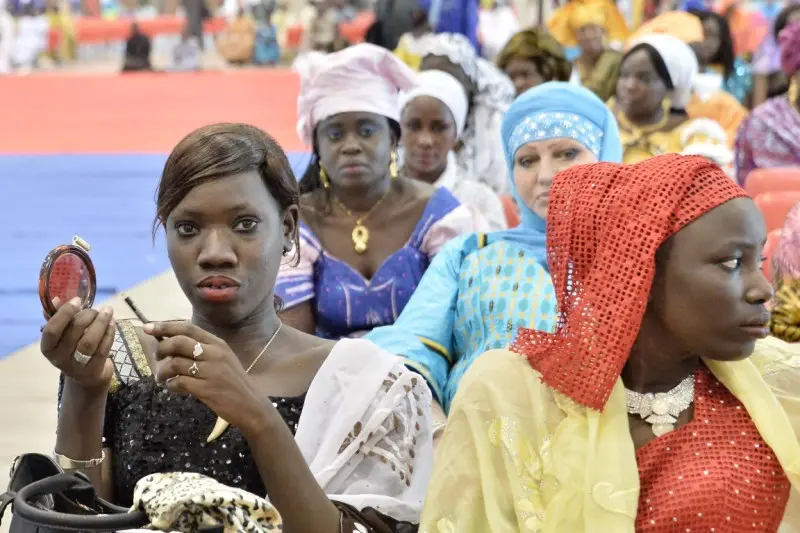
<point x="363" y="77"/>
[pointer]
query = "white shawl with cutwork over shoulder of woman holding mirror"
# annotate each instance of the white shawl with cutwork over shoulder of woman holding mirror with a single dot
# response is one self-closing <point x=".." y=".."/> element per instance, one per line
<point x="366" y="431"/>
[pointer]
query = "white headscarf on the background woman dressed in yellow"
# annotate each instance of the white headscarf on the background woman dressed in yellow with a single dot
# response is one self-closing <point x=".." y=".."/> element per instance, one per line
<point x="681" y="64"/>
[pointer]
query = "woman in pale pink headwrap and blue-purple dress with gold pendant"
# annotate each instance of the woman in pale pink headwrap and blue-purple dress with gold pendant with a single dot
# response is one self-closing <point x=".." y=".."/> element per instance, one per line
<point x="367" y="233"/>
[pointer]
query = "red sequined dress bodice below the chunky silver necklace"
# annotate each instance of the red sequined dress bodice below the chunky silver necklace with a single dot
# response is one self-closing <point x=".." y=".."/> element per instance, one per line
<point x="715" y="473"/>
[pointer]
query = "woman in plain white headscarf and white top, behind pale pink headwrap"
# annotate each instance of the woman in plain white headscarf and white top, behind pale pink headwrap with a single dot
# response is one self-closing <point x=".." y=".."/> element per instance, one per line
<point x="433" y="117"/>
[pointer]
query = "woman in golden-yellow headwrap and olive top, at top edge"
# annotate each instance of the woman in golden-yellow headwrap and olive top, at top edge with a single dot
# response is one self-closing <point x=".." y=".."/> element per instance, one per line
<point x="597" y="68"/>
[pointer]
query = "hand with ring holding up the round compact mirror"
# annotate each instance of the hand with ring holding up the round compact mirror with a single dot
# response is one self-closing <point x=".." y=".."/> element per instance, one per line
<point x="72" y="335"/>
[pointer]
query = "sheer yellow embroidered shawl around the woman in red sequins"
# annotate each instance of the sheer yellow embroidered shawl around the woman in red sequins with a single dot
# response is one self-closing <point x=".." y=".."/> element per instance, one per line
<point x="519" y="457"/>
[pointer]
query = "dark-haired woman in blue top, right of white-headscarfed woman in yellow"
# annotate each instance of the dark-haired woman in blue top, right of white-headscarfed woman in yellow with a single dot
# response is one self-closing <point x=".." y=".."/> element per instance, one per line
<point x="715" y="54"/>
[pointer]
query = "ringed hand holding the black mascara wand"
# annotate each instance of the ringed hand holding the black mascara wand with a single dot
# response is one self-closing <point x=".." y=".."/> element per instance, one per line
<point x="192" y="361"/>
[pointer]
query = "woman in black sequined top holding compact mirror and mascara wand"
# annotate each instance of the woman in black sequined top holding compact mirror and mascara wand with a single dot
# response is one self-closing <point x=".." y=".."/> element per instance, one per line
<point x="137" y="401"/>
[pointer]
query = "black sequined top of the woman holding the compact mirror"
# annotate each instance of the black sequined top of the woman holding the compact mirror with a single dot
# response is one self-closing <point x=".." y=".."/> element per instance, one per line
<point x="155" y="431"/>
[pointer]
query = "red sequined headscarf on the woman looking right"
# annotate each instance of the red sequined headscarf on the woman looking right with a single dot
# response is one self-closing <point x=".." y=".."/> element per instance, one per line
<point x="605" y="223"/>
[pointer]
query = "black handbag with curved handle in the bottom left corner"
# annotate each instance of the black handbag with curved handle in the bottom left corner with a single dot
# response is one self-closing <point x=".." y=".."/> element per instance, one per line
<point x="45" y="499"/>
